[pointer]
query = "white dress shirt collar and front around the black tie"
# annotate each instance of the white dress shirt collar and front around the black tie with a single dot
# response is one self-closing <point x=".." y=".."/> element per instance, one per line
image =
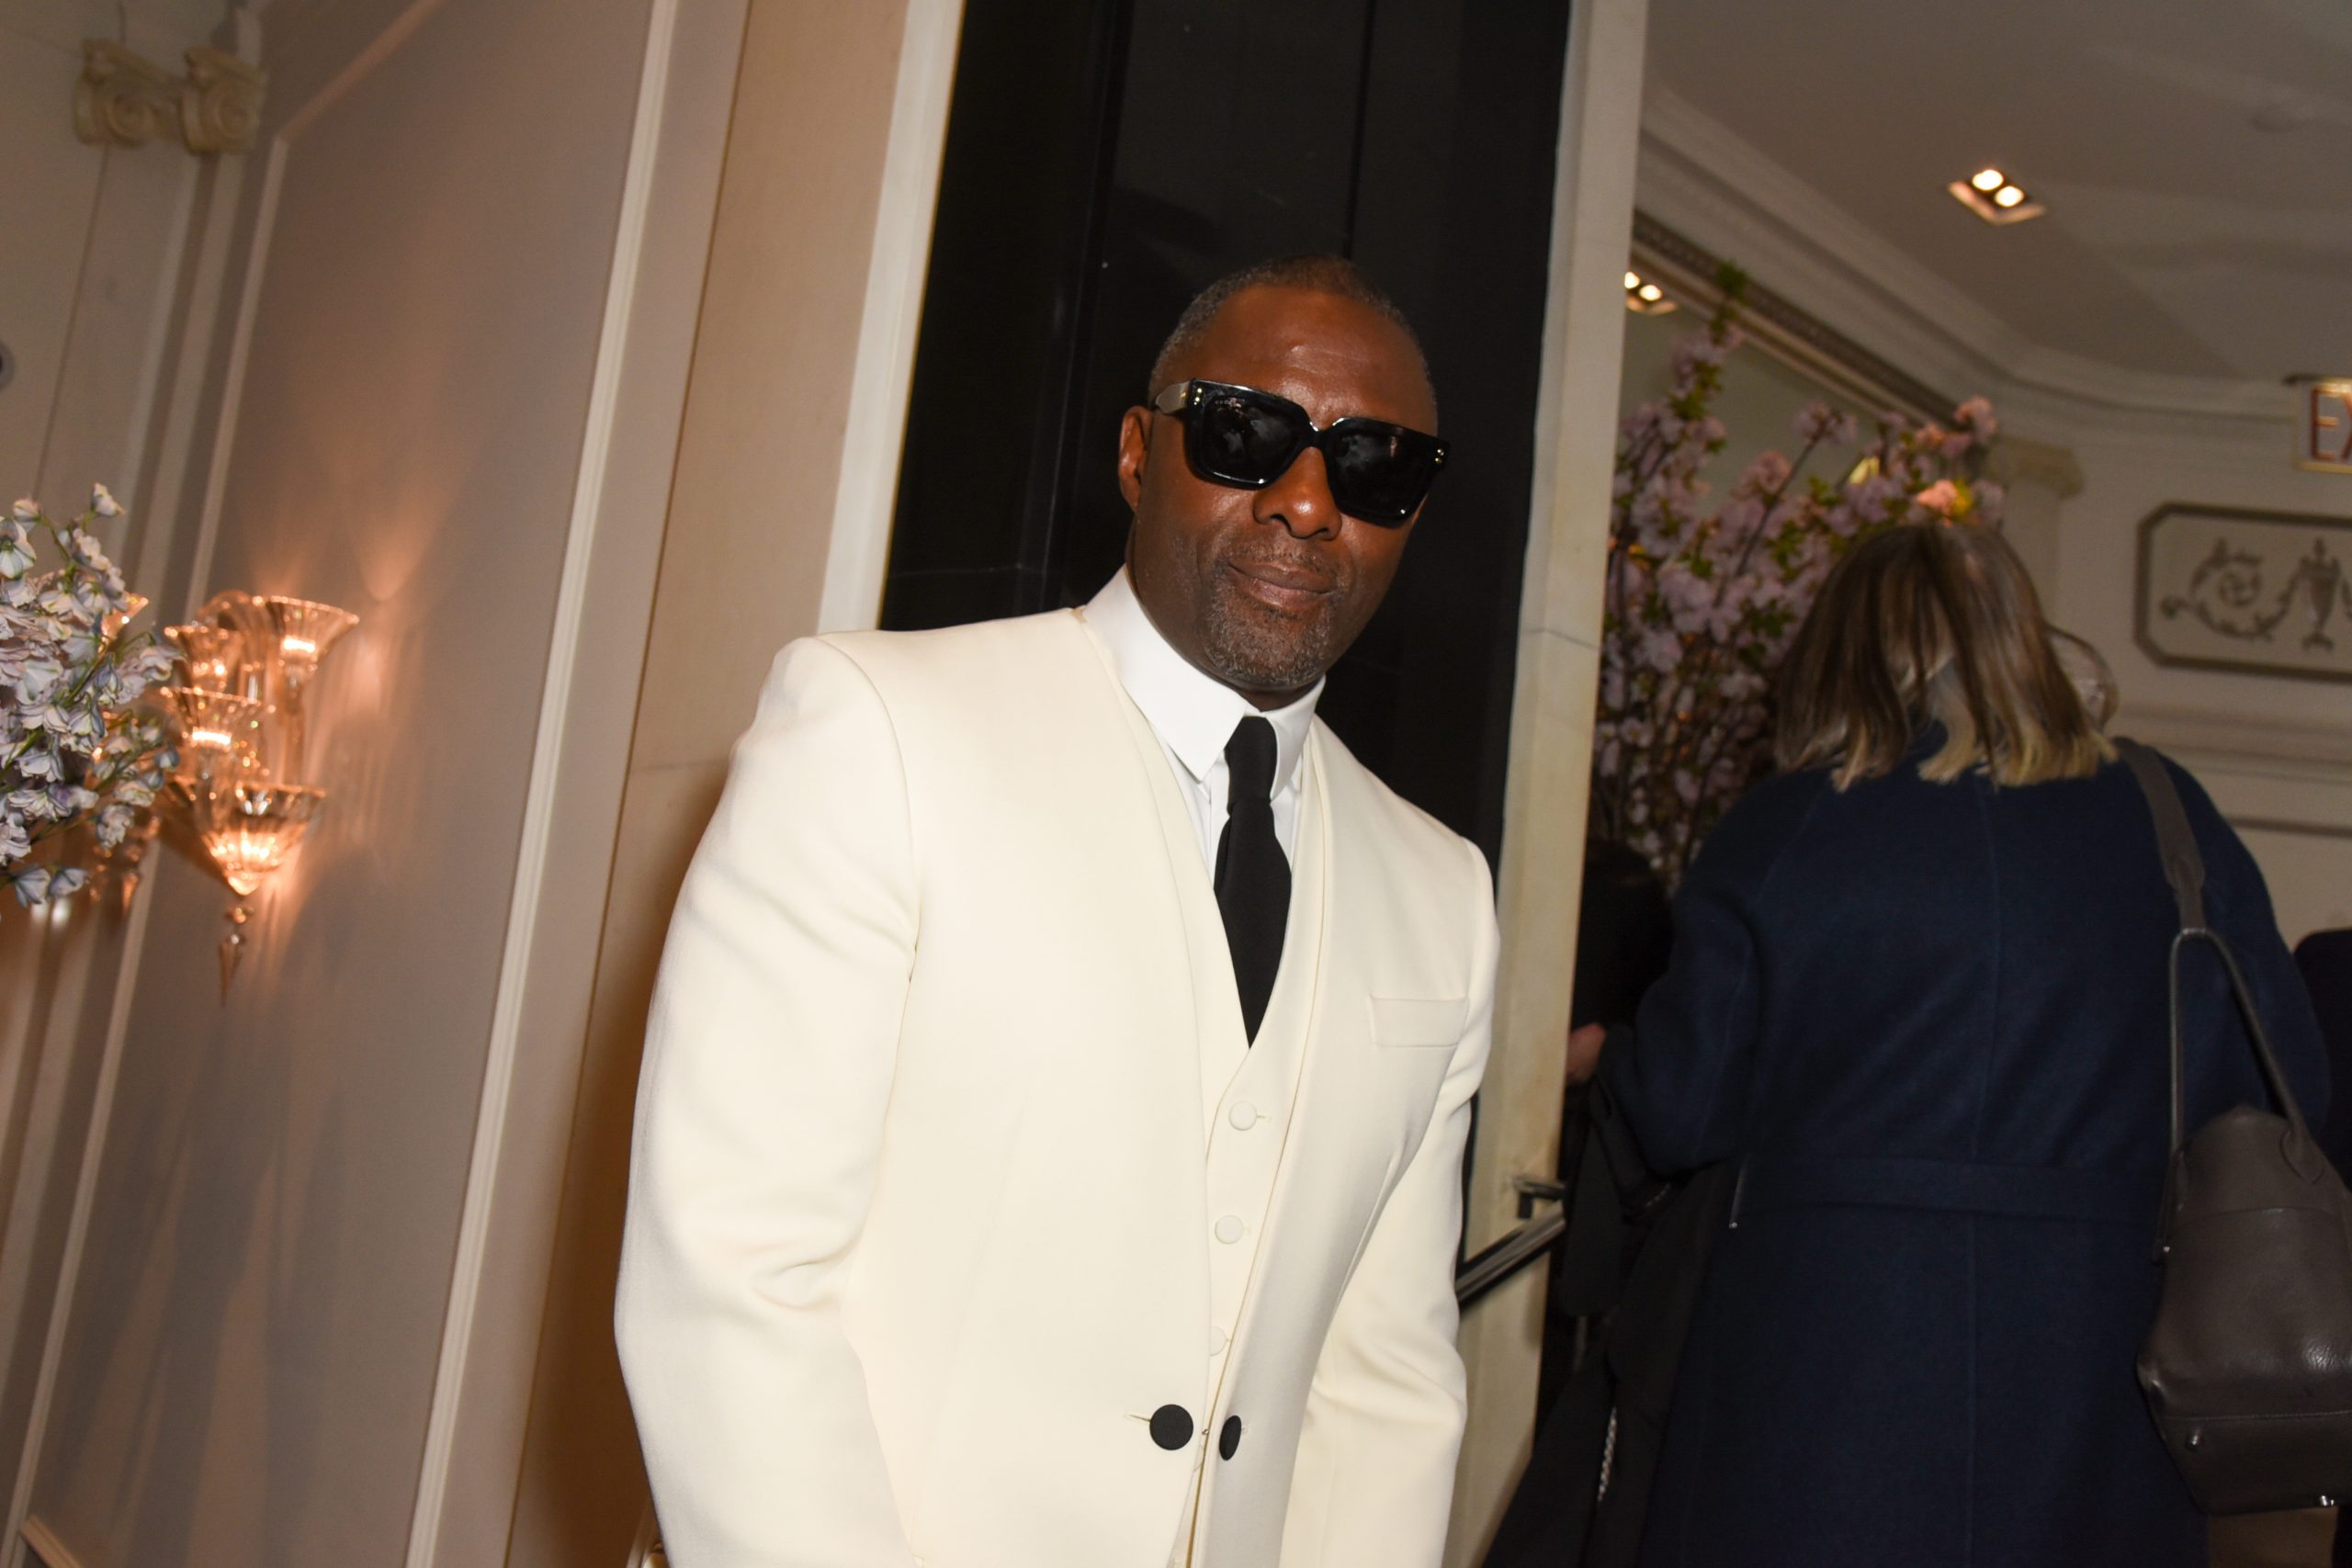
<point x="1194" y="713"/>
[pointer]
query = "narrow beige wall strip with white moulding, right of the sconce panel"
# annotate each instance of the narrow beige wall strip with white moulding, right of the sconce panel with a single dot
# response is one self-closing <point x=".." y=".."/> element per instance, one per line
<point x="523" y="1139"/>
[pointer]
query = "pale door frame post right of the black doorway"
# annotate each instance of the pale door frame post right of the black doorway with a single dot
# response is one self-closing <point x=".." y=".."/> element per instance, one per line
<point x="1551" y="735"/>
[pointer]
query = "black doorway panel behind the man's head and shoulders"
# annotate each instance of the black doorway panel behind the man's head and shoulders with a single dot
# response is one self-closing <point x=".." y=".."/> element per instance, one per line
<point x="1104" y="161"/>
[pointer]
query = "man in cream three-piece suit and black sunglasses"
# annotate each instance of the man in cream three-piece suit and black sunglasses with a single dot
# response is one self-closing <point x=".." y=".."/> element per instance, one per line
<point x="1055" y="1097"/>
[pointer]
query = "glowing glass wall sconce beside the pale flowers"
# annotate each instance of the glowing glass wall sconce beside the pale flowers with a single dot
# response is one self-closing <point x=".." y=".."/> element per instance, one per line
<point x="241" y="737"/>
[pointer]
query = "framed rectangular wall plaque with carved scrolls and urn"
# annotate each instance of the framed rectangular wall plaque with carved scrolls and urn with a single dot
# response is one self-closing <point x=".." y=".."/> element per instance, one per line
<point x="2266" y="594"/>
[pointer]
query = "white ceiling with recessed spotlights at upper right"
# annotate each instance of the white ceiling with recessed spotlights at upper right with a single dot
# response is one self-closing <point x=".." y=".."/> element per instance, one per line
<point x="2184" y="239"/>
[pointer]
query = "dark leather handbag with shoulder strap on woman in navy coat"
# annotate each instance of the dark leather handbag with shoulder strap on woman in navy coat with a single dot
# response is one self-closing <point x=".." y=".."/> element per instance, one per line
<point x="2250" y="1362"/>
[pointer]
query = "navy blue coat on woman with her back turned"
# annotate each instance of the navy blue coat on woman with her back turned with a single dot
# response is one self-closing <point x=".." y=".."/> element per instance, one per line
<point x="1930" y="1024"/>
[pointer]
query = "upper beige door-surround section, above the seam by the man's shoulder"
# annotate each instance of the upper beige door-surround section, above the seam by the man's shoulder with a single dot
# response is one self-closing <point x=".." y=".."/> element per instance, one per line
<point x="761" y="455"/>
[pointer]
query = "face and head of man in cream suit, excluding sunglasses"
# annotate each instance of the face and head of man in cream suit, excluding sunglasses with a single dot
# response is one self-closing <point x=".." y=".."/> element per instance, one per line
<point x="1264" y="589"/>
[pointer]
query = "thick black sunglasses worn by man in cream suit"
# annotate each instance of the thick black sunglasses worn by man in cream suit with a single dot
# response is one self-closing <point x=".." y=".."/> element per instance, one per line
<point x="1248" y="438"/>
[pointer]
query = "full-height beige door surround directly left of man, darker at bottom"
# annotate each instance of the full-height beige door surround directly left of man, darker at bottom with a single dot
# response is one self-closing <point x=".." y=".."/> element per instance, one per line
<point x="742" y="575"/>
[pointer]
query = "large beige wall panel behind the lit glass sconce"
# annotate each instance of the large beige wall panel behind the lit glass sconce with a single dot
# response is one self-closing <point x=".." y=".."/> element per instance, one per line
<point x="260" y="1313"/>
